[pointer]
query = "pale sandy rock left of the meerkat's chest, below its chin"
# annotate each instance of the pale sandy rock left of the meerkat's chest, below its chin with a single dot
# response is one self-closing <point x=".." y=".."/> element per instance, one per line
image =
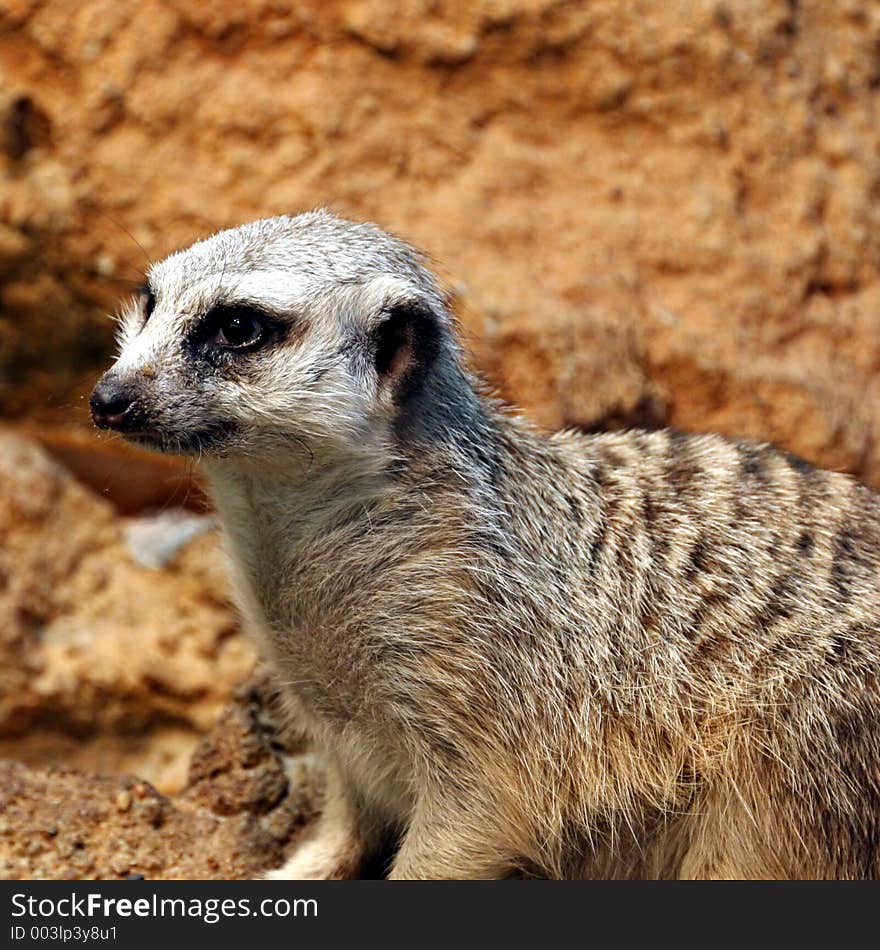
<point x="108" y="658"/>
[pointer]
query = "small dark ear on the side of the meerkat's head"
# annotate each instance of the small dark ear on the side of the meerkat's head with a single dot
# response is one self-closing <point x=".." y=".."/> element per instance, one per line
<point x="405" y="344"/>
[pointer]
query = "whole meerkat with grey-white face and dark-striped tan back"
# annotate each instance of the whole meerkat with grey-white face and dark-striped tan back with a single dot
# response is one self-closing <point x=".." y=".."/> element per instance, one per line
<point x="622" y="655"/>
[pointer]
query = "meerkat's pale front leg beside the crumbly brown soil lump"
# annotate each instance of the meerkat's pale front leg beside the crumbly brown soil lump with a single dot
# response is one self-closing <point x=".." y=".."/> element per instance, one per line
<point x="336" y="847"/>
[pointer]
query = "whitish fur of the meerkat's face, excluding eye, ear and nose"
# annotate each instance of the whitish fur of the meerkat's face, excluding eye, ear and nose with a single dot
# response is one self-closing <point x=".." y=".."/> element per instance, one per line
<point x="326" y="281"/>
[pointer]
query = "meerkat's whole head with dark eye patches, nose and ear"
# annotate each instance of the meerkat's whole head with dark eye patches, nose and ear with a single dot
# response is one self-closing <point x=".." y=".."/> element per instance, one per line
<point x="303" y="331"/>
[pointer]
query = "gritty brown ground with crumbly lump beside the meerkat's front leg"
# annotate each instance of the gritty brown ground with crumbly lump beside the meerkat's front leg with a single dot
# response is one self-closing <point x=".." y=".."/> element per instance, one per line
<point x="236" y="822"/>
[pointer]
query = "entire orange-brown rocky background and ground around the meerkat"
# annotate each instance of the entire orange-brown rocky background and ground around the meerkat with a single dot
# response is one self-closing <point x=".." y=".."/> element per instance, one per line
<point x="649" y="213"/>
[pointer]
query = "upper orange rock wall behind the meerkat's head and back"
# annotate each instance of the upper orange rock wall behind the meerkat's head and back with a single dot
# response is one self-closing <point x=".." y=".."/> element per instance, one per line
<point x="649" y="212"/>
